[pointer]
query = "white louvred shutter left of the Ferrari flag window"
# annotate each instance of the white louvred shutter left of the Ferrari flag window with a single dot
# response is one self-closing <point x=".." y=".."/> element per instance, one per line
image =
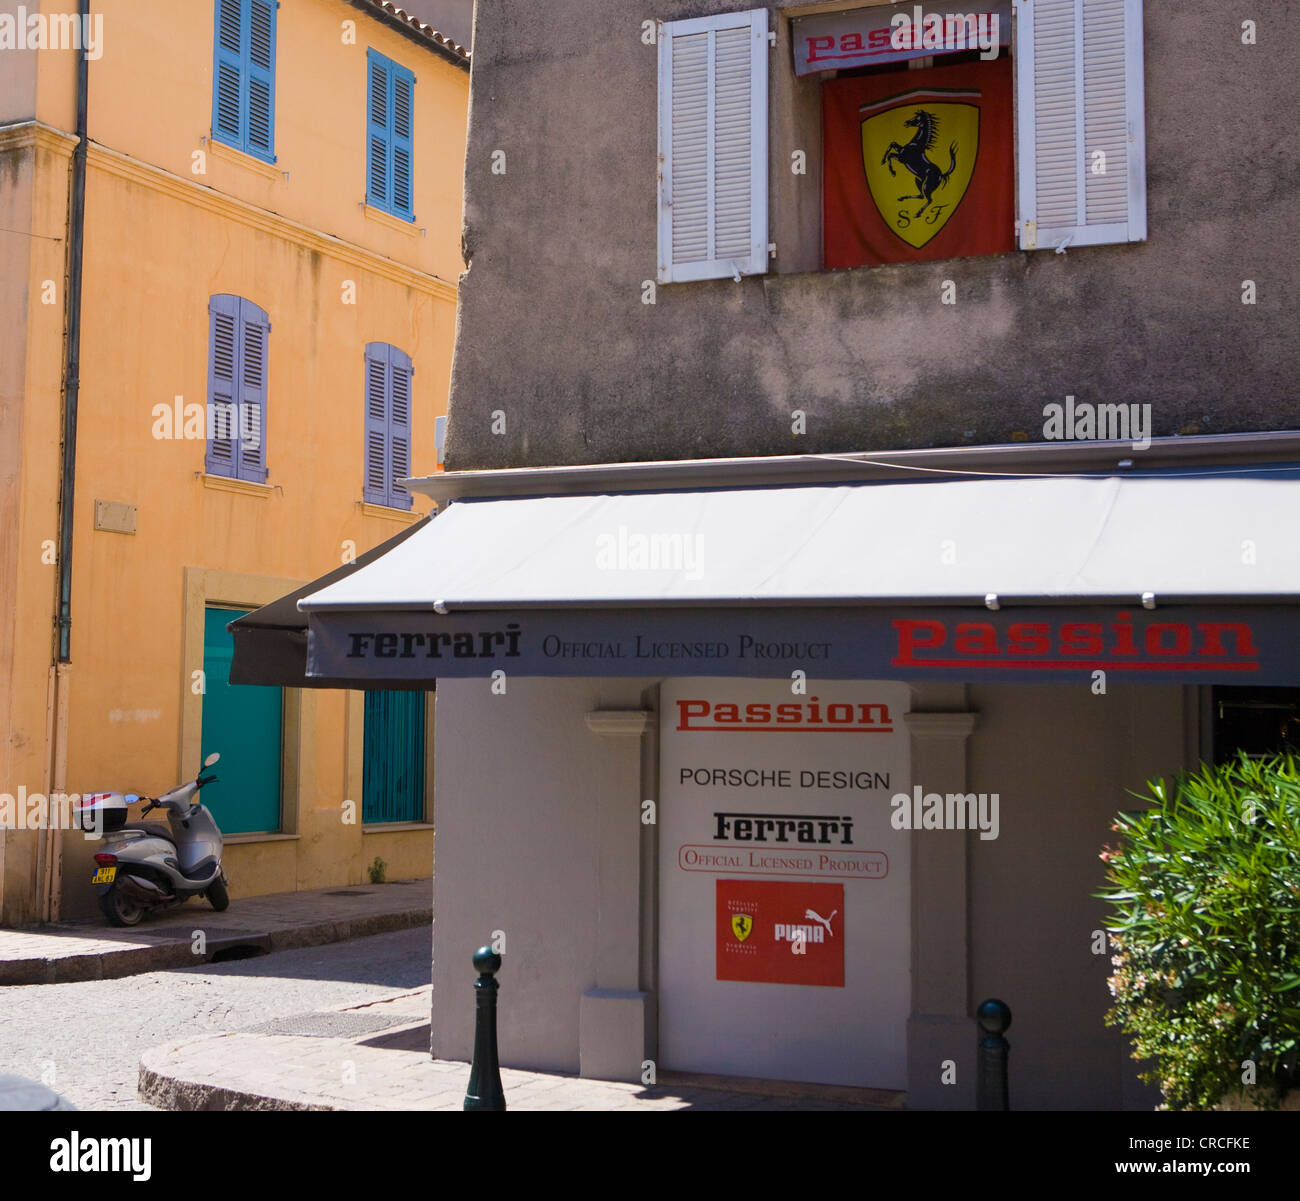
<point x="713" y="148"/>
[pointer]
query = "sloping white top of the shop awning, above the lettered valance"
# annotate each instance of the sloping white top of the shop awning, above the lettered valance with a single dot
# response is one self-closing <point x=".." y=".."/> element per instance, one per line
<point x="1182" y="539"/>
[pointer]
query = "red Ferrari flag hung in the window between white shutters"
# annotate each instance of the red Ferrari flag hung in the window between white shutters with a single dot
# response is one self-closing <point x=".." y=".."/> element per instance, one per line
<point x="918" y="166"/>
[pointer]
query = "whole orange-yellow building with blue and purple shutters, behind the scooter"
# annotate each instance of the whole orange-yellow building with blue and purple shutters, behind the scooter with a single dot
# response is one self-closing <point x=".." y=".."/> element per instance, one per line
<point x="268" y="268"/>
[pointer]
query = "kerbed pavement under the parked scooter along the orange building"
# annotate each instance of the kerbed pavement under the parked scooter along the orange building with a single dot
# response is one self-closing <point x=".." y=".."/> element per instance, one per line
<point x="94" y="951"/>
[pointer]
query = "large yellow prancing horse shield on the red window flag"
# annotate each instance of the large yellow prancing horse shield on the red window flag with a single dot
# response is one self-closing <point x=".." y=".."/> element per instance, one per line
<point x="920" y="150"/>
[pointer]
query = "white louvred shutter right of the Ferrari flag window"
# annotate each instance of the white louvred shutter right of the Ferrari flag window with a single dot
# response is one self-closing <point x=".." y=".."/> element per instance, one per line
<point x="1082" y="141"/>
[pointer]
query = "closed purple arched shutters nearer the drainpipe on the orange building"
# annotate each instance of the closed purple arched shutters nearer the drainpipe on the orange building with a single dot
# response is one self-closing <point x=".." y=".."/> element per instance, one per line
<point x="240" y="336"/>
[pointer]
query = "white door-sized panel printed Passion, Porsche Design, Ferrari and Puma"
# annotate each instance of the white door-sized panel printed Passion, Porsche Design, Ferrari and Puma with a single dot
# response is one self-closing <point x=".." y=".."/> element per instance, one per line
<point x="785" y="879"/>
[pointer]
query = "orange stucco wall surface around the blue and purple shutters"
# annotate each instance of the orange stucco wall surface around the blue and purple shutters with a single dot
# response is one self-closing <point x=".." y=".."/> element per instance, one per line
<point x="171" y="220"/>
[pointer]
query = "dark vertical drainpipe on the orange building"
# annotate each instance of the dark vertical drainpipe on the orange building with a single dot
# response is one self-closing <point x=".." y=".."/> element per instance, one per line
<point x="49" y="872"/>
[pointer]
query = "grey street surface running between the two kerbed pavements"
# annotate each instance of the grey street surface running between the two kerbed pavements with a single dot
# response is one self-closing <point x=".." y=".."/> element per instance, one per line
<point x="85" y="1040"/>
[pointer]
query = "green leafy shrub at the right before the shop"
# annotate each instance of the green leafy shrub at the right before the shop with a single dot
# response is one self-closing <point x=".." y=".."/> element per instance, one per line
<point x="1206" y="891"/>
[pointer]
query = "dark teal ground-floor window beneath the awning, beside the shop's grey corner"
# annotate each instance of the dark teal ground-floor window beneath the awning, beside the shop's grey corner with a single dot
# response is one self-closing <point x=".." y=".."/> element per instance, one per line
<point x="393" y="764"/>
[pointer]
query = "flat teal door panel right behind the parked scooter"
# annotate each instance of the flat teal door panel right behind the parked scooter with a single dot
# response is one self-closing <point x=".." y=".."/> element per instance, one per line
<point x="245" y="726"/>
